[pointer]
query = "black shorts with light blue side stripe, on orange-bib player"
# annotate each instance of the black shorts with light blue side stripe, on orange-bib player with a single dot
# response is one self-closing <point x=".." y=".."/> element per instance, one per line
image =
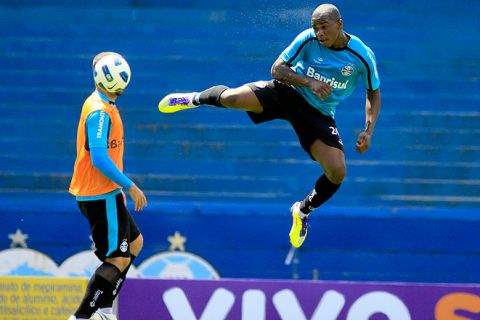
<point x="111" y="225"/>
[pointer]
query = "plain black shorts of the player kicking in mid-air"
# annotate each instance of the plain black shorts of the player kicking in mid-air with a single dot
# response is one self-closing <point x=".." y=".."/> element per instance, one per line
<point x="281" y="101"/>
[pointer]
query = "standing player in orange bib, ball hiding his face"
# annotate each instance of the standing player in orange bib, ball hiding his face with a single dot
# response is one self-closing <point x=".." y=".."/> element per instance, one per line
<point x="97" y="183"/>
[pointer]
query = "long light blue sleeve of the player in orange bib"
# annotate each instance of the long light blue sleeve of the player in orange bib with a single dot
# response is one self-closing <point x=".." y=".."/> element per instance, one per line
<point x="98" y="125"/>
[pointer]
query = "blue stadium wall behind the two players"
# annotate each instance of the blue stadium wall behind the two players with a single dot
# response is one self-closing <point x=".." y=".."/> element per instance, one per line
<point x="409" y="209"/>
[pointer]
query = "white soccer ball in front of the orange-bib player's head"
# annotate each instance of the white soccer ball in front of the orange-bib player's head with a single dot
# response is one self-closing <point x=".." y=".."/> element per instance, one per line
<point x="112" y="73"/>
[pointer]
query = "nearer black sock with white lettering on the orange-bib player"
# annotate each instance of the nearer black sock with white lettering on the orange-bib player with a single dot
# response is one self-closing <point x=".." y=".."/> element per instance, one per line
<point x="99" y="288"/>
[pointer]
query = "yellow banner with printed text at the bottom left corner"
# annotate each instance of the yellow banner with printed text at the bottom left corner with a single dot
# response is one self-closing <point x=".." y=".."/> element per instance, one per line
<point x="40" y="298"/>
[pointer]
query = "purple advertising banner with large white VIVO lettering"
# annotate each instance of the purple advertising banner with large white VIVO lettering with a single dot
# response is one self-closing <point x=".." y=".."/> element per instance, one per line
<point x="295" y="300"/>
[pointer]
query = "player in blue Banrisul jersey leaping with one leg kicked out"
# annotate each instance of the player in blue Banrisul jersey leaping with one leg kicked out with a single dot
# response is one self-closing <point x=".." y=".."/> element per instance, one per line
<point x="316" y="72"/>
